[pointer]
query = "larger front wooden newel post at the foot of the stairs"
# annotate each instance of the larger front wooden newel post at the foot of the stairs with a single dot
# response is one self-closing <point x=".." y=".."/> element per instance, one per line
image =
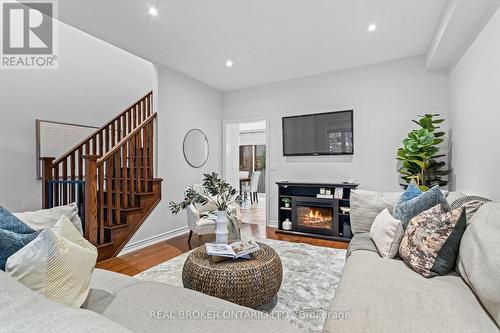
<point x="91" y="226"/>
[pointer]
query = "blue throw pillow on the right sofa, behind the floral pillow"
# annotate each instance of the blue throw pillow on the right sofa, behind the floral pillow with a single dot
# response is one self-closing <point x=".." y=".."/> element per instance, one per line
<point x="405" y="211"/>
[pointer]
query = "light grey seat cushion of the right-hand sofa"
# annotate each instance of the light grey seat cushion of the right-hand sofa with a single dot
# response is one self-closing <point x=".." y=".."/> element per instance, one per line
<point x="385" y="296"/>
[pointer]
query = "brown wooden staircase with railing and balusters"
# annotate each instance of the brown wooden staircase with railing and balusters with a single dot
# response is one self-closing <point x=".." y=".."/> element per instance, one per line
<point x="110" y="175"/>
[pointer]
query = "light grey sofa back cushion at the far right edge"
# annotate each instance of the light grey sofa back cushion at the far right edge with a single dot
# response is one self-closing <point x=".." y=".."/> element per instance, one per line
<point x="479" y="257"/>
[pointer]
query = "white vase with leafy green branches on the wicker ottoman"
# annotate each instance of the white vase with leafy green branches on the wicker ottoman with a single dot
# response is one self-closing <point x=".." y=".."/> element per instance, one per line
<point x="220" y="193"/>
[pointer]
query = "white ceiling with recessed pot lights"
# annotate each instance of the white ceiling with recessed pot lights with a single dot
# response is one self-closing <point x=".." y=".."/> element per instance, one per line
<point x="268" y="40"/>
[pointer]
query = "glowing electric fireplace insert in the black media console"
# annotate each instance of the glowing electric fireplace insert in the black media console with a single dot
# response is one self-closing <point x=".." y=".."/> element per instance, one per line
<point x="313" y="216"/>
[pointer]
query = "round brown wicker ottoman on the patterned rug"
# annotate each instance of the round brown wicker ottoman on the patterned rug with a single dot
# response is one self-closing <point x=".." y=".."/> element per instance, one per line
<point x="248" y="282"/>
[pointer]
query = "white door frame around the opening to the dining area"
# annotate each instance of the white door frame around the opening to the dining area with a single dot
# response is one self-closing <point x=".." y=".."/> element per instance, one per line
<point x="268" y="160"/>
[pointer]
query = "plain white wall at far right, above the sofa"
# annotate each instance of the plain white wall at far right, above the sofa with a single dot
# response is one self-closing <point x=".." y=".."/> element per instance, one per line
<point x="475" y="114"/>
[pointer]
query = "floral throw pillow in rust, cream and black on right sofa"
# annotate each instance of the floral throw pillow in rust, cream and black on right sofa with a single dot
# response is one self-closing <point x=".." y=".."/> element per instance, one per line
<point x="431" y="241"/>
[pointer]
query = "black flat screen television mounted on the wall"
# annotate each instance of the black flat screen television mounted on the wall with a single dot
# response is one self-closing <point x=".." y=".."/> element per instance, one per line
<point x="329" y="133"/>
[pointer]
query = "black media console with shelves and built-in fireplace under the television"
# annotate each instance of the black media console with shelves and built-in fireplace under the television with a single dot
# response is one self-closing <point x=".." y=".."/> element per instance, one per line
<point x="312" y="216"/>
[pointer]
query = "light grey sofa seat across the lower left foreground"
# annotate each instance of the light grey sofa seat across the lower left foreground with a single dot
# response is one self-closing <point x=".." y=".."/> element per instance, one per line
<point x="119" y="303"/>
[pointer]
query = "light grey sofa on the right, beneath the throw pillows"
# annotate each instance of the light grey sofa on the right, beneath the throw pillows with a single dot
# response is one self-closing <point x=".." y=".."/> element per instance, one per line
<point x="384" y="295"/>
